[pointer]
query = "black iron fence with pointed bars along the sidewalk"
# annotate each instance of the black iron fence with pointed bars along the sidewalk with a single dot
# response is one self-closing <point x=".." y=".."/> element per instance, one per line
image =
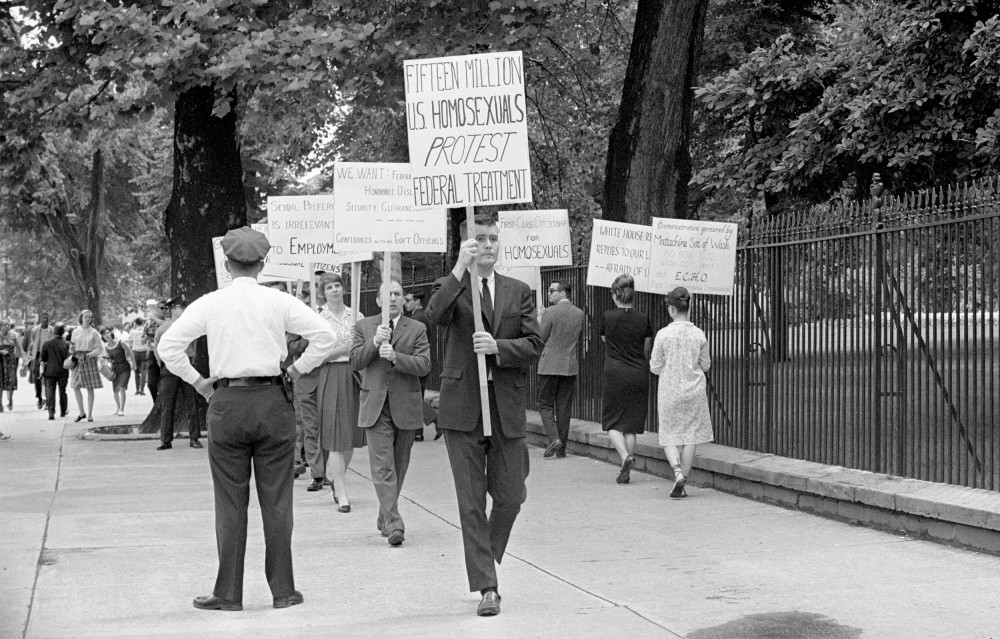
<point x="862" y="336"/>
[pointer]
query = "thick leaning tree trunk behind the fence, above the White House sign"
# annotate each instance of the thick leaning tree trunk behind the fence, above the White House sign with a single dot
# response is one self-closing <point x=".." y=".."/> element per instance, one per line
<point x="649" y="165"/>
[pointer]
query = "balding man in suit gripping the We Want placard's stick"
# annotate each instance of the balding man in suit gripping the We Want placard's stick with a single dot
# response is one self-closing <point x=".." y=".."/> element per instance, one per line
<point x="391" y="359"/>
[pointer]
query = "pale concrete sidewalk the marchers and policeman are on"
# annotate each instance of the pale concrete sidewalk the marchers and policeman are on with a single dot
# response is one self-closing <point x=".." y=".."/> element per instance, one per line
<point x="114" y="539"/>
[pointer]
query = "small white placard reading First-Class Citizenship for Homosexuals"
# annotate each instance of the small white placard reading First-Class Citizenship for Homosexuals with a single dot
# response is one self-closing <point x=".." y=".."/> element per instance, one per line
<point x="535" y="238"/>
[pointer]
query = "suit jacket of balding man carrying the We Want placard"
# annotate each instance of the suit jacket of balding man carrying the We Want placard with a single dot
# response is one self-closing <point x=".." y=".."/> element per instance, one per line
<point x="400" y="382"/>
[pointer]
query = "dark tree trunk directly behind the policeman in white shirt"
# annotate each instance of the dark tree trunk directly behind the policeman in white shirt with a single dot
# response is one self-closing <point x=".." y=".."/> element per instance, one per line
<point x="206" y="201"/>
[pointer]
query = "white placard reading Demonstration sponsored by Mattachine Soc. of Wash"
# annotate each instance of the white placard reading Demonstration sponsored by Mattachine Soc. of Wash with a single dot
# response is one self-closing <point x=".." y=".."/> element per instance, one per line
<point x="700" y="256"/>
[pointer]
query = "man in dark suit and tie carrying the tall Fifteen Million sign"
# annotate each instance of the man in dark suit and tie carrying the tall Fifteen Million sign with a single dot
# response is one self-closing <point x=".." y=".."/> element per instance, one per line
<point x="496" y="465"/>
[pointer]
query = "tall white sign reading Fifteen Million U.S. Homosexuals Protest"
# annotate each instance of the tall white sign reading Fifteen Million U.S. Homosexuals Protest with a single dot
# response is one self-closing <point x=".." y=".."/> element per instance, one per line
<point x="468" y="131"/>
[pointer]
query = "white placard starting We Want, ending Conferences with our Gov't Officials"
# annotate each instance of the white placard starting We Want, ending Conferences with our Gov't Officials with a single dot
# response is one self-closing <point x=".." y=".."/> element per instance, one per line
<point x="374" y="211"/>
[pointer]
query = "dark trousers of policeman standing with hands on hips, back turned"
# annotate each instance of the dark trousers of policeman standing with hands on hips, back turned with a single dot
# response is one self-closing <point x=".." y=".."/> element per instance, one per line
<point x="252" y="426"/>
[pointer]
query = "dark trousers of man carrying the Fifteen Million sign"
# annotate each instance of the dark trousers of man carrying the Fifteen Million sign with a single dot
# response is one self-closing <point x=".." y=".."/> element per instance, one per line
<point x="495" y="465"/>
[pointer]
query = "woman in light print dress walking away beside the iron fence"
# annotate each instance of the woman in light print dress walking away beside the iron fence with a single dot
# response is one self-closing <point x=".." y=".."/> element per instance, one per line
<point x="680" y="357"/>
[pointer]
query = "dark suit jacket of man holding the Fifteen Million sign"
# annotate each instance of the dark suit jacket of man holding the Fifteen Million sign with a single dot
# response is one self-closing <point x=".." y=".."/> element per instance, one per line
<point x="515" y="329"/>
